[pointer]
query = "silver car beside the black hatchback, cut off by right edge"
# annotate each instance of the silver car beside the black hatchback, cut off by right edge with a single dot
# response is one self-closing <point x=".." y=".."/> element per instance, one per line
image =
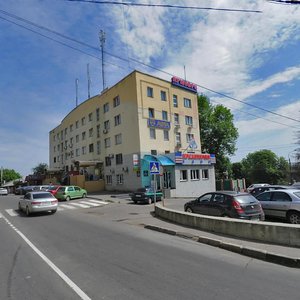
<point x="281" y="204"/>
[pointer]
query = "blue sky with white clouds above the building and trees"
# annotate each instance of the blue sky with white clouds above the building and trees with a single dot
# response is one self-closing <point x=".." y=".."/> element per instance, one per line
<point x="252" y="57"/>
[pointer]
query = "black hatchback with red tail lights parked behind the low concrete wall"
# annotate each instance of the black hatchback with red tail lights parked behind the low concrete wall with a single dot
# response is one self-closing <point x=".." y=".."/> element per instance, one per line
<point x="227" y="204"/>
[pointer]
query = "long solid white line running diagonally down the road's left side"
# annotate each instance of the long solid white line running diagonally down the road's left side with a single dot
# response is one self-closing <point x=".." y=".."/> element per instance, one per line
<point x="62" y="275"/>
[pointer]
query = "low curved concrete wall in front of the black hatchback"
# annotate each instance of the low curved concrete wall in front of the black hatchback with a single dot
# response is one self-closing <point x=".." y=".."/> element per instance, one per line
<point x="281" y="234"/>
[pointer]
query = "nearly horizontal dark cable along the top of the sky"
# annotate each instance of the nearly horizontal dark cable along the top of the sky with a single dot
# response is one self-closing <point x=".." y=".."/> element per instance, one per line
<point x="166" y="6"/>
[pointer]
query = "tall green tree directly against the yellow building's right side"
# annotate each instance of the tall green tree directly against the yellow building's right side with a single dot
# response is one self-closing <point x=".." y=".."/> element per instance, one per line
<point x="217" y="133"/>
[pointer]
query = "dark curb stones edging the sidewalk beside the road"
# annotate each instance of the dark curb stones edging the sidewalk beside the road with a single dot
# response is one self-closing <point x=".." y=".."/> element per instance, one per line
<point x="246" y="251"/>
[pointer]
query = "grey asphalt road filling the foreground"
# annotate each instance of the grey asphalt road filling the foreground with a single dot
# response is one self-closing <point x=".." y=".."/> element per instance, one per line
<point x="104" y="253"/>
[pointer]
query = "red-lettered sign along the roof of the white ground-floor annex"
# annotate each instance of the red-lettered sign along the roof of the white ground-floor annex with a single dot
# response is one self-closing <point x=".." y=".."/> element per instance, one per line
<point x="194" y="159"/>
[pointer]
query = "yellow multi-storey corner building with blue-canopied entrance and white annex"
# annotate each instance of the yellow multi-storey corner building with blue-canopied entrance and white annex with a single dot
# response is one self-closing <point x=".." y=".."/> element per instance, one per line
<point x="115" y="136"/>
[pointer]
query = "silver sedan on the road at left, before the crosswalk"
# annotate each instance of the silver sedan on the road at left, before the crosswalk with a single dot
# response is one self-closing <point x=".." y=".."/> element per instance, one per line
<point x="34" y="202"/>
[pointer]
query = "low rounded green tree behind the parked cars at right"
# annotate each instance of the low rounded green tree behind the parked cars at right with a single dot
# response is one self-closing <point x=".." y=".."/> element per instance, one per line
<point x="265" y="167"/>
